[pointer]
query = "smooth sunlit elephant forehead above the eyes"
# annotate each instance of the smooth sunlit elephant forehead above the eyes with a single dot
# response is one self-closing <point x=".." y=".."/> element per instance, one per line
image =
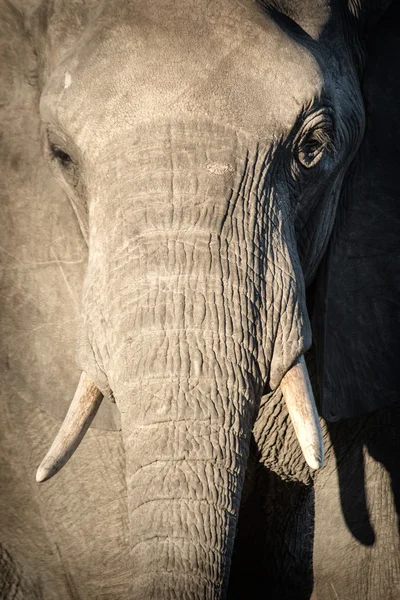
<point x="237" y="68"/>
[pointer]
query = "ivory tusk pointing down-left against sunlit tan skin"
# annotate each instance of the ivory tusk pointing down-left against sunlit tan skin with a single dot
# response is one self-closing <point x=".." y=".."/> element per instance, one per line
<point x="84" y="406"/>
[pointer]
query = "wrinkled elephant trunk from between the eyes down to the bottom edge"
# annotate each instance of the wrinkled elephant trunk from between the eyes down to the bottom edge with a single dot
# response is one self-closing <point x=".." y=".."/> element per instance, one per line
<point x="194" y="303"/>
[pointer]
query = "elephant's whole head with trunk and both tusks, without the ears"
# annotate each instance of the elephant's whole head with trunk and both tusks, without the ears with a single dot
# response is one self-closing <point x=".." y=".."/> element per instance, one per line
<point x="203" y="149"/>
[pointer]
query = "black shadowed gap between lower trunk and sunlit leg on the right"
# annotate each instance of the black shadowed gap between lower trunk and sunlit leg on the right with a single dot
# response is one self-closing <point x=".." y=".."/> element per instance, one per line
<point x="273" y="548"/>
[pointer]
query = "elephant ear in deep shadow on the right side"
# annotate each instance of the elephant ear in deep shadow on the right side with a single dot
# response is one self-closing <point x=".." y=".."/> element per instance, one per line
<point x="357" y="307"/>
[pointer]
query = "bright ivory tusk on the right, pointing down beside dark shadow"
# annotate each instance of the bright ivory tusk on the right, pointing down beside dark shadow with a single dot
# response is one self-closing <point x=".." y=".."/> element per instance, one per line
<point x="297" y="391"/>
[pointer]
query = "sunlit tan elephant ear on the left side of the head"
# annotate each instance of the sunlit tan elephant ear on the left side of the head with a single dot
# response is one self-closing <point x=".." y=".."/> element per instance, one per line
<point x="42" y="252"/>
